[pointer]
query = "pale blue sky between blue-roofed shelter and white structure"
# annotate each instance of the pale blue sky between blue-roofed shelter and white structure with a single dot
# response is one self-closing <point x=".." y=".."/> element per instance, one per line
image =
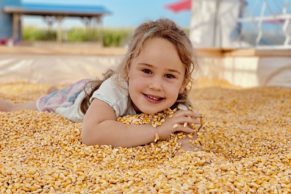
<point x="125" y="13"/>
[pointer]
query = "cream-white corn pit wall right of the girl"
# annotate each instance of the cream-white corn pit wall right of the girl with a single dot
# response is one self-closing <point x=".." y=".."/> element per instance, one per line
<point x="247" y="71"/>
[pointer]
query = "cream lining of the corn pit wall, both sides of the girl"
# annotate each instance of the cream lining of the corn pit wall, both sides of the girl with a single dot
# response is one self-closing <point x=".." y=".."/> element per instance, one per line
<point x="53" y="69"/>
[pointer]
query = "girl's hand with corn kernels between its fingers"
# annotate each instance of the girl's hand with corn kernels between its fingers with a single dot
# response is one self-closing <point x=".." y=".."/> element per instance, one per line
<point x="180" y="122"/>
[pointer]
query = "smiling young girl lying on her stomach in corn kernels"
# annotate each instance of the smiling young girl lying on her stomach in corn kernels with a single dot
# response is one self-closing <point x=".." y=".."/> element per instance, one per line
<point x="153" y="76"/>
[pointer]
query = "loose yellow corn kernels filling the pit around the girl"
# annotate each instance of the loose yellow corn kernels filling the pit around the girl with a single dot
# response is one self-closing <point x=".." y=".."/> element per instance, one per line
<point x="243" y="147"/>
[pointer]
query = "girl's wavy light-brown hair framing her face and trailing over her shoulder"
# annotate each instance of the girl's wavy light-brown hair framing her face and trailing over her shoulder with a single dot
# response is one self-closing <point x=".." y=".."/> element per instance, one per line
<point x="161" y="28"/>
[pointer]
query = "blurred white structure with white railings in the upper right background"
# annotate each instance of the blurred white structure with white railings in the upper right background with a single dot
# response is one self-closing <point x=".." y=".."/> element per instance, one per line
<point x="241" y="23"/>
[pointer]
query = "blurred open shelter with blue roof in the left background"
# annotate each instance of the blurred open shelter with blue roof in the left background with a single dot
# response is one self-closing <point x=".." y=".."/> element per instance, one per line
<point x="11" y="12"/>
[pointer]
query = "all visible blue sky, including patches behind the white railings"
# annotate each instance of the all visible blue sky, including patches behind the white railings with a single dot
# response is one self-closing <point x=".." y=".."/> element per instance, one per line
<point x="130" y="13"/>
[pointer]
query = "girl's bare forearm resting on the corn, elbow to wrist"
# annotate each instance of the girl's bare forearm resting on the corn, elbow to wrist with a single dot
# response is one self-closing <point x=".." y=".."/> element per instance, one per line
<point x="117" y="134"/>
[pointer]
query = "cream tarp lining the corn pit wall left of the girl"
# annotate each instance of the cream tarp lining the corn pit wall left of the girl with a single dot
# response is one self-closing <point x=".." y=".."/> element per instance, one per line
<point x="53" y="69"/>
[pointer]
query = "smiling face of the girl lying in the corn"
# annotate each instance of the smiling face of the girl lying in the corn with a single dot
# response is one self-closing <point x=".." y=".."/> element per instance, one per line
<point x="156" y="76"/>
